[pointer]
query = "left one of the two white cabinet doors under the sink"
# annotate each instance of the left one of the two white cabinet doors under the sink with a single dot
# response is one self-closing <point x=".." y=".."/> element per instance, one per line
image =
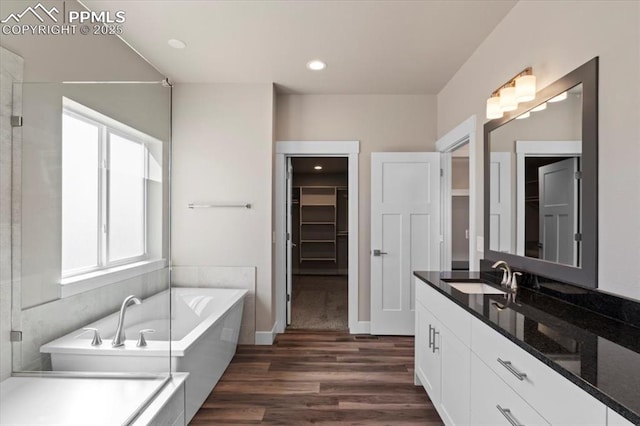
<point x="427" y="362"/>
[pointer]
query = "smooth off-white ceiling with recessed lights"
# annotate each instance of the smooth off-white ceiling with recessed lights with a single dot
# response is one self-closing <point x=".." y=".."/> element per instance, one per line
<point x="370" y="47"/>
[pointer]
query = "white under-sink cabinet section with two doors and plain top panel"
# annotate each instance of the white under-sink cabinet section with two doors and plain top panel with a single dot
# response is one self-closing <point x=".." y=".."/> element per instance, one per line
<point x="443" y="354"/>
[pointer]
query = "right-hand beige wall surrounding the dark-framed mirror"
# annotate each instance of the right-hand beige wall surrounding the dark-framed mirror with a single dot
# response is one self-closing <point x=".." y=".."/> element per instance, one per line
<point x="555" y="38"/>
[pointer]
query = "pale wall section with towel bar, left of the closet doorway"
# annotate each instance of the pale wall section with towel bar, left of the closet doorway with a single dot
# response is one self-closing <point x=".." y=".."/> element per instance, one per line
<point x="222" y="152"/>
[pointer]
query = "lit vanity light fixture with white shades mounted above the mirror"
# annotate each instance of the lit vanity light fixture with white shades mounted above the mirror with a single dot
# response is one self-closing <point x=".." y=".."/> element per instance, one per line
<point x="521" y="88"/>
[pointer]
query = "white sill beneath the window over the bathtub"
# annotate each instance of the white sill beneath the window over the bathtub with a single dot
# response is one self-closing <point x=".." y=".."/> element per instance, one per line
<point x="85" y="282"/>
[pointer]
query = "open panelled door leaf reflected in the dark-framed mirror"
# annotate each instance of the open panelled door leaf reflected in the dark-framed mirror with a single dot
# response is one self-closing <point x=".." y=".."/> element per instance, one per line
<point x="558" y="191"/>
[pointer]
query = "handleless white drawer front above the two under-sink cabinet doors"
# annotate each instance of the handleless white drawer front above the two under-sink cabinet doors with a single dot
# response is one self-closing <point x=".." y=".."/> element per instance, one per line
<point x="455" y="318"/>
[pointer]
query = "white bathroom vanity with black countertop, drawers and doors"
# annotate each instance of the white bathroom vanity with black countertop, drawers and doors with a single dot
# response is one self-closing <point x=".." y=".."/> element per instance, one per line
<point x="524" y="358"/>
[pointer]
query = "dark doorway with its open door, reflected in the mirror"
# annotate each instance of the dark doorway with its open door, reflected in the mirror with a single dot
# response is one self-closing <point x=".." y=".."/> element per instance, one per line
<point x="552" y="209"/>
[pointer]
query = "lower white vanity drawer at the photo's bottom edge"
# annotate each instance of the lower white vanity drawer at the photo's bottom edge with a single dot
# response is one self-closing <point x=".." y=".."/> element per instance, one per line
<point x="488" y="392"/>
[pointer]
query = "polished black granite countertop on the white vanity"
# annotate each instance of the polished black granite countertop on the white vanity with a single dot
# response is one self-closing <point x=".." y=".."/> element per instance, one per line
<point x="599" y="354"/>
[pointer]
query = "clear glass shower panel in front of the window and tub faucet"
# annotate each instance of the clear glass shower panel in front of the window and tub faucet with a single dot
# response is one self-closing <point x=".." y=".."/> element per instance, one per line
<point x="90" y="196"/>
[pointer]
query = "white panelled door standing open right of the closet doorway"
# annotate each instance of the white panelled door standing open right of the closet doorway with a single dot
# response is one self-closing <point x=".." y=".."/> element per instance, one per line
<point x="405" y="234"/>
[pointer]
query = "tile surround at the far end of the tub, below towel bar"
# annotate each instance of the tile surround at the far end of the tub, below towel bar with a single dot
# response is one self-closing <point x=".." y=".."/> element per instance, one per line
<point x="236" y="277"/>
